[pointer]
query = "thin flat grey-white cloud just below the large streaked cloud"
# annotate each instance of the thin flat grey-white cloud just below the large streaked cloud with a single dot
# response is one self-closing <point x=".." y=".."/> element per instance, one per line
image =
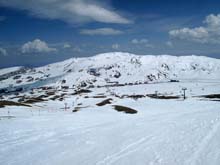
<point x="101" y="31"/>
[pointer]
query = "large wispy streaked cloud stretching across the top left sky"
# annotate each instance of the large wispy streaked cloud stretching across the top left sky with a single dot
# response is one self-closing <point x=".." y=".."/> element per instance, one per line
<point x="71" y="11"/>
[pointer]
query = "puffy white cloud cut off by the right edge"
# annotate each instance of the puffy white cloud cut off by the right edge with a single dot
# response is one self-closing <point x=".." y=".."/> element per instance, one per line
<point x="210" y="33"/>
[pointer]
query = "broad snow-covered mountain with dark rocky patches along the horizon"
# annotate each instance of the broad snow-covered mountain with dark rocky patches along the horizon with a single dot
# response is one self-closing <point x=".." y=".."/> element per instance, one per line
<point x="112" y="68"/>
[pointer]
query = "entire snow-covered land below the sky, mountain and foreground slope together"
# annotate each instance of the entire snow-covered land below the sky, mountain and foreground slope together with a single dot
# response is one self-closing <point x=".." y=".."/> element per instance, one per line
<point x="65" y="113"/>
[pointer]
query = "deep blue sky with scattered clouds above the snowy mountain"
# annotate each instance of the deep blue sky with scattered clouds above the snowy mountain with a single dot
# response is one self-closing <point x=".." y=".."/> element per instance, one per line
<point x="34" y="33"/>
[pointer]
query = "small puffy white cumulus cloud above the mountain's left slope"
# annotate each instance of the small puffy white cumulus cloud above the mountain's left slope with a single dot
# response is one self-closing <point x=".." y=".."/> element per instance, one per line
<point x="36" y="46"/>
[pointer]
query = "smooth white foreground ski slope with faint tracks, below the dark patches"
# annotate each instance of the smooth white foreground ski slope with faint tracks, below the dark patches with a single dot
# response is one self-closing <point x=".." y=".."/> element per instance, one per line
<point x="162" y="132"/>
